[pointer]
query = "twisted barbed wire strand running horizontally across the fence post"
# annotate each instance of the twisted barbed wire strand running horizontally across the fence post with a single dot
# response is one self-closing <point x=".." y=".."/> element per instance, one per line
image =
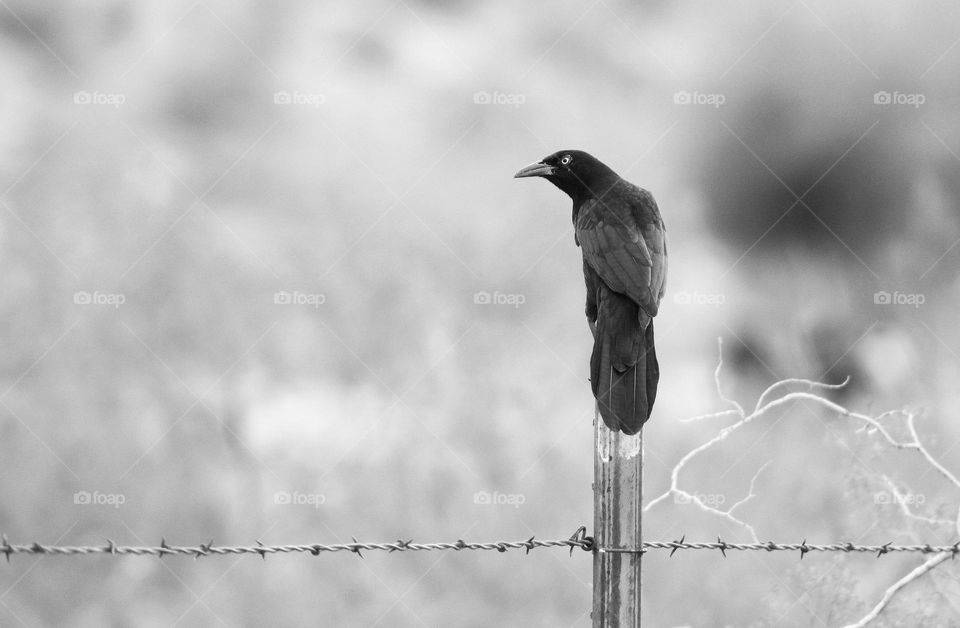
<point x="579" y="539"/>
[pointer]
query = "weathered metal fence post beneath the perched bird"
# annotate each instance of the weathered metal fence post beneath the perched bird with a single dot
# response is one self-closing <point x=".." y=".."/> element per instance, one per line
<point x="617" y="511"/>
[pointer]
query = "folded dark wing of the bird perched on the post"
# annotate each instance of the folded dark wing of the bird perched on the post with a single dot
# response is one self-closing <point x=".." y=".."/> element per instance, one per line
<point x="623" y="240"/>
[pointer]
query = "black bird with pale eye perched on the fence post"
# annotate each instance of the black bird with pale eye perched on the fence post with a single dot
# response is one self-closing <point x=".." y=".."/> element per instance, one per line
<point x="620" y="231"/>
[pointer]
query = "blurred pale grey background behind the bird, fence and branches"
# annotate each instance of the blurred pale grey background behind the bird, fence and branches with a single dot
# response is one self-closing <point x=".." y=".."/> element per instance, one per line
<point x="266" y="276"/>
